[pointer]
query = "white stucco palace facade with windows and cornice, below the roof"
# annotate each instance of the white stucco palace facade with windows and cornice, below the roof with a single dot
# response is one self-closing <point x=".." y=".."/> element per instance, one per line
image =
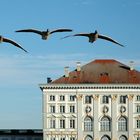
<point x="91" y="111"/>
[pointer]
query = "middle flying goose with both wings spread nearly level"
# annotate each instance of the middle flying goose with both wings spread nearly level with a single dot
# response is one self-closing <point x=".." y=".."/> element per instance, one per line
<point x="44" y="34"/>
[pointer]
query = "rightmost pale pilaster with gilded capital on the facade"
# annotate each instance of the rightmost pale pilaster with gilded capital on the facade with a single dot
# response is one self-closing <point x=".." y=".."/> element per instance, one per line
<point x="130" y="117"/>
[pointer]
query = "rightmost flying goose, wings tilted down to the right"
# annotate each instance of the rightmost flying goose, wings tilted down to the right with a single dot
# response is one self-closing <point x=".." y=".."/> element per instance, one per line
<point x="94" y="36"/>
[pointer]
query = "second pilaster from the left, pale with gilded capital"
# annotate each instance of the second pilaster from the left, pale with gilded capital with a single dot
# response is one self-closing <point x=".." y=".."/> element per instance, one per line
<point x="95" y="115"/>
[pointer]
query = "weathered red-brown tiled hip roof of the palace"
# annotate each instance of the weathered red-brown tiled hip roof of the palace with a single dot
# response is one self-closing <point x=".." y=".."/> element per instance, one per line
<point x="101" y="71"/>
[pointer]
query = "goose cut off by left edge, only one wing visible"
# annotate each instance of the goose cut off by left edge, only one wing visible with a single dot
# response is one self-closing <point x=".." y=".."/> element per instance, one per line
<point x="2" y="39"/>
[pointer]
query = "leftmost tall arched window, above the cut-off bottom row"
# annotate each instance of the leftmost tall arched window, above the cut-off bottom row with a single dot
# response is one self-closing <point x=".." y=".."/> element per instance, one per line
<point x="88" y="124"/>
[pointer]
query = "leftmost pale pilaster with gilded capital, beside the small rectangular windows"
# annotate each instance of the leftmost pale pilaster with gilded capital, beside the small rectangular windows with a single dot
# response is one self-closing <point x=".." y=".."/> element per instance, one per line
<point x="79" y="118"/>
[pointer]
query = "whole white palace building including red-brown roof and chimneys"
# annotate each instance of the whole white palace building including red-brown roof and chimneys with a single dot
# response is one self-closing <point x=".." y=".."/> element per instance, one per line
<point x="96" y="101"/>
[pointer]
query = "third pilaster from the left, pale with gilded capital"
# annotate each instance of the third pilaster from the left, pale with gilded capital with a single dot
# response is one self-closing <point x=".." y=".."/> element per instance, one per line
<point x="114" y="116"/>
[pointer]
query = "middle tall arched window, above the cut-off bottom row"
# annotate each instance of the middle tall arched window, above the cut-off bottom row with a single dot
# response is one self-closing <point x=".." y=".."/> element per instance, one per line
<point x="105" y="124"/>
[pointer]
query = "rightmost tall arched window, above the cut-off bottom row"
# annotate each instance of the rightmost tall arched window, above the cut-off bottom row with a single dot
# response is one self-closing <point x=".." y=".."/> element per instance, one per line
<point x="122" y="124"/>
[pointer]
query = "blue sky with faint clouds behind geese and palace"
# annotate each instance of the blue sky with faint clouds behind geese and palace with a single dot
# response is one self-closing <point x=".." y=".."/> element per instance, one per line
<point x="20" y="72"/>
